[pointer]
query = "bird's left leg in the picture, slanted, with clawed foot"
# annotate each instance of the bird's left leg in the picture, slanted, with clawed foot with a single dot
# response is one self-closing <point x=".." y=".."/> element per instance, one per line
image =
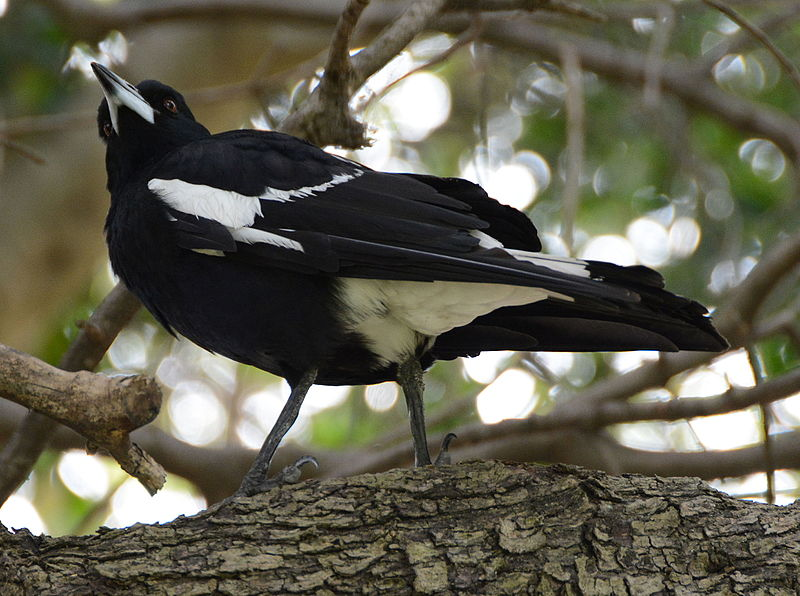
<point x="256" y="479"/>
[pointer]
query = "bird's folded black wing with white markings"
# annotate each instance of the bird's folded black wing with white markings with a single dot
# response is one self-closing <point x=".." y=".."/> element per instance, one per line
<point x="276" y="201"/>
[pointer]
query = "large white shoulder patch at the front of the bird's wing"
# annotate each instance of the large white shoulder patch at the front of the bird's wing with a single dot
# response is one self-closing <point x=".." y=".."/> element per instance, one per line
<point x="229" y="208"/>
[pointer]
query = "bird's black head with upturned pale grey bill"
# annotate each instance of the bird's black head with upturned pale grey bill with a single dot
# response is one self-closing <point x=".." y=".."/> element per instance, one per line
<point x="140" y="124"/>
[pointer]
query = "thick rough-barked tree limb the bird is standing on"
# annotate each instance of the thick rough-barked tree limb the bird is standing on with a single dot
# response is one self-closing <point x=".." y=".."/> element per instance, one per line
<point x="476" y="528"/>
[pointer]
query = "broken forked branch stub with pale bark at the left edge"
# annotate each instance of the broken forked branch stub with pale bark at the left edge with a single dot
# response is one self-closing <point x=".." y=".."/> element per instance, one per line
<point x="101" y="408"/>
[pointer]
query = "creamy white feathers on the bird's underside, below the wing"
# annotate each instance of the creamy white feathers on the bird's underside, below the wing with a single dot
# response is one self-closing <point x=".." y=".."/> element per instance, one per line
<point x="396" y="316"/>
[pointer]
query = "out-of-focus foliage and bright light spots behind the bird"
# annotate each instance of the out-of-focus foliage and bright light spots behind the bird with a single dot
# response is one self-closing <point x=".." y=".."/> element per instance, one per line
<point x="652" y="132"/>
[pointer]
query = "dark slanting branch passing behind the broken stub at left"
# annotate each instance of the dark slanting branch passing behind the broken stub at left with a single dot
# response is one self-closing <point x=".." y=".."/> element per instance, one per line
<point x="31" y="437"/>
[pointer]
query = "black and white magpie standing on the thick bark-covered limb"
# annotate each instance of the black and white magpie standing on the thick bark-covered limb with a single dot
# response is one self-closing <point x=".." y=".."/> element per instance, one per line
<point x="266" y="249"/>
